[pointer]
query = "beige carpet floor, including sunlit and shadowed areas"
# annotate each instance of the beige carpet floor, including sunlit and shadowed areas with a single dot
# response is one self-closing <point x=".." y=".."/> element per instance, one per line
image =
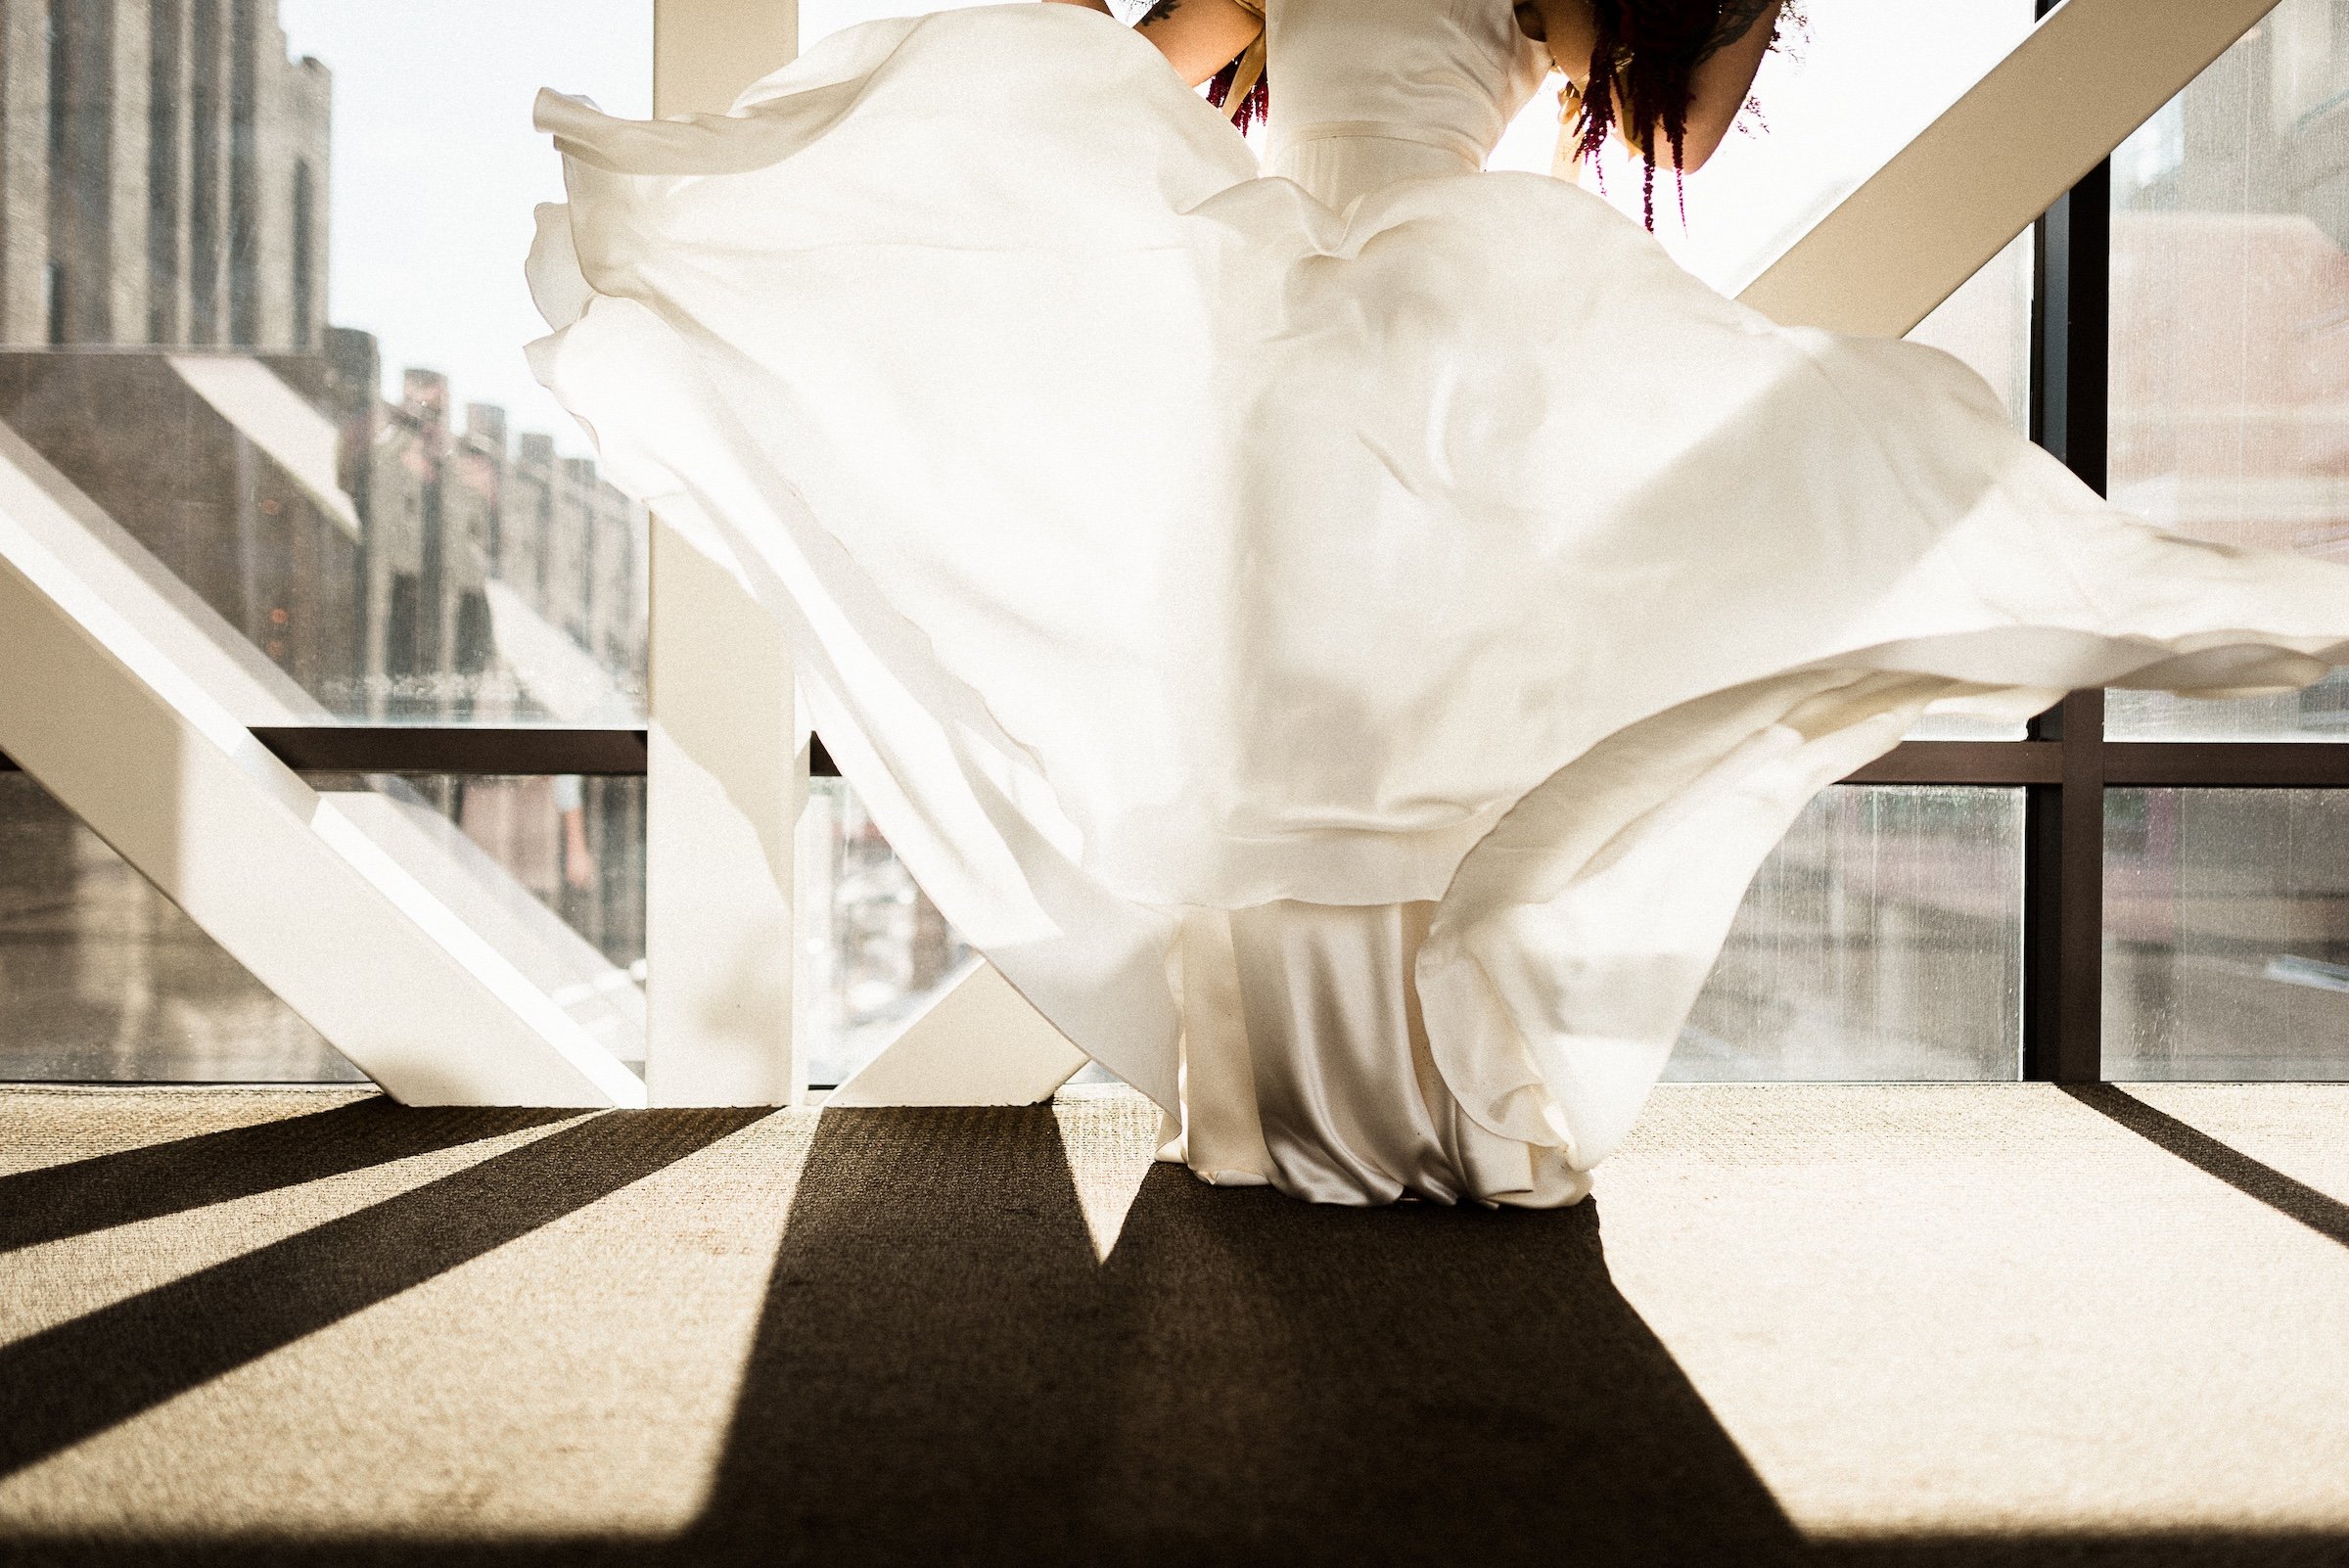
<point x="1798" y="1325"/>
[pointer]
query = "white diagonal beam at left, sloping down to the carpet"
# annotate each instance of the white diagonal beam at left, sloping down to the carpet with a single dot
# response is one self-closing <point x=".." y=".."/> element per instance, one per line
<point x="112" y="724"/>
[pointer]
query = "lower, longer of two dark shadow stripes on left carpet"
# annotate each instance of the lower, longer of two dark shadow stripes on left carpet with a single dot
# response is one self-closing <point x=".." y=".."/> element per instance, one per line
<point x="105" y="1367"/>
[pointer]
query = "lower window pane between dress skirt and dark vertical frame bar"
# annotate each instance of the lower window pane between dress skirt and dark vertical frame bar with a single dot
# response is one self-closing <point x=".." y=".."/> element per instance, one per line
<point x="1880" y="942"/>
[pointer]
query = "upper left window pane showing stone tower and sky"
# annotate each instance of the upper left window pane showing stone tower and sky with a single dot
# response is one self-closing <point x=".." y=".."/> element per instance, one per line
<point x="271" y="330"/>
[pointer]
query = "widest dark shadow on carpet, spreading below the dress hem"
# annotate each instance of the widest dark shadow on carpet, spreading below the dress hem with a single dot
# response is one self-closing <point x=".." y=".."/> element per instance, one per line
<point x="945" y="1374"/>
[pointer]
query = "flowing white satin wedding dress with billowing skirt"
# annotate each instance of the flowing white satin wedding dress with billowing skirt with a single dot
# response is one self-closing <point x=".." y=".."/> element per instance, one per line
<point x="1342" y="635"/>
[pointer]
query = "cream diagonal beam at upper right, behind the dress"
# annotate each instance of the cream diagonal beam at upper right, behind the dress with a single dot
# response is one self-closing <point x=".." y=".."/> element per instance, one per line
<point x="1974" y="180"/>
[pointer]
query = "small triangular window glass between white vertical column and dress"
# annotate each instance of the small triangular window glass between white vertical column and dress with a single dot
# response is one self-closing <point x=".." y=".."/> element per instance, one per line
<point x="875" y="952"/>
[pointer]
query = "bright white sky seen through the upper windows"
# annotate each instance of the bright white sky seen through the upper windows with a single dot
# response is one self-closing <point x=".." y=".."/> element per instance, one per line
<point x="436" y="163"/>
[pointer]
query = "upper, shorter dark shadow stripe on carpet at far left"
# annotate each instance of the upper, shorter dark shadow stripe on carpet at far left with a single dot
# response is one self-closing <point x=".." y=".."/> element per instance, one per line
<point x="217" y="1168"/>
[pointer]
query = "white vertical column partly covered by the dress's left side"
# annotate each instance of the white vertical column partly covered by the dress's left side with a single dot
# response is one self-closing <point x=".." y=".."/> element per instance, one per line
<point x="729" y="766"/>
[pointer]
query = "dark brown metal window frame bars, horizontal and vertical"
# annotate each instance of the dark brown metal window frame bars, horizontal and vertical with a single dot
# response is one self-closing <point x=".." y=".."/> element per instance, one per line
<point x="2064" y="764"/>
